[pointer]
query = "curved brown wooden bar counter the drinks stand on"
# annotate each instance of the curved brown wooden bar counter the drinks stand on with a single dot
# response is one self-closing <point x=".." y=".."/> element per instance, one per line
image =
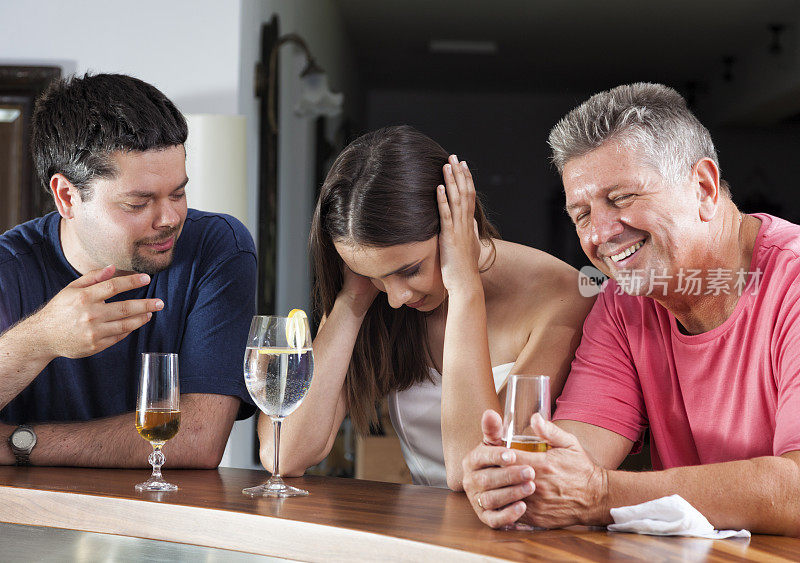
<point x="341" y="520"/>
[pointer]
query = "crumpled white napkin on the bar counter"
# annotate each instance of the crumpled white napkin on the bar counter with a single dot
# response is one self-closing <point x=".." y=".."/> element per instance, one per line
<point x="668" y="516"/>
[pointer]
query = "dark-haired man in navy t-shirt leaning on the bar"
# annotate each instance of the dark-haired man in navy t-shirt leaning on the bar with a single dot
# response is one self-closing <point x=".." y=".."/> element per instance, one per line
<point x="121" y="268"/>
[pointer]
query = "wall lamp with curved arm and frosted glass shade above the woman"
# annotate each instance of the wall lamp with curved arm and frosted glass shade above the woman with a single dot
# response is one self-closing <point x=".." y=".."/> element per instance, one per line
<point x="316" y="97"/>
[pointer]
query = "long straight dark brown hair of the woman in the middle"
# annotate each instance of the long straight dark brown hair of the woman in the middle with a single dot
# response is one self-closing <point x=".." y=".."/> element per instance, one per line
<point x="380" y="192"/>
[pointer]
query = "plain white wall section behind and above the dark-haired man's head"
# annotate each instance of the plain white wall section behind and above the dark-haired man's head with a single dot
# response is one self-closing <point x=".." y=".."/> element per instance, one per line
<point x="187" y="48"/>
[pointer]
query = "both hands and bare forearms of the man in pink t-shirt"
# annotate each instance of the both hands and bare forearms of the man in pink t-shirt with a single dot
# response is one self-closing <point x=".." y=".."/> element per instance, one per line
<point x="760" y="494"/>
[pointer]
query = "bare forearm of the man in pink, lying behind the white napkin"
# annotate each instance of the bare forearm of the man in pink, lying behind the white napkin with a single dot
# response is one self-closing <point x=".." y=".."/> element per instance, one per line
<point x="760" y="494"/>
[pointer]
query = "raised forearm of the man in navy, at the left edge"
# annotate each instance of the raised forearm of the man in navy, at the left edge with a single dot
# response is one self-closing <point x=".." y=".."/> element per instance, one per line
<point x="22" y="358"/>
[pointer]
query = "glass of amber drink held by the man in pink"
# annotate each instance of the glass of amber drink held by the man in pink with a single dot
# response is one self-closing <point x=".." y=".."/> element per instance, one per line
<point x="525" y="396"/>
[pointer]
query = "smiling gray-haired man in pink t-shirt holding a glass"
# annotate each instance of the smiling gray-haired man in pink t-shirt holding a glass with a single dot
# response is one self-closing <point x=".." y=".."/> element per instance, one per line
<point x="696" y="337"/>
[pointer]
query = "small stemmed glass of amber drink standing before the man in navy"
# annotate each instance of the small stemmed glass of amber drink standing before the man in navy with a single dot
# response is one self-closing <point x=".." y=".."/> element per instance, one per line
<point x="158" y="413"/>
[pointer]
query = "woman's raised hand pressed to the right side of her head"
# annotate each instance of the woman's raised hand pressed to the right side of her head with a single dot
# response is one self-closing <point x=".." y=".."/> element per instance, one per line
<point x="459" y="245"/>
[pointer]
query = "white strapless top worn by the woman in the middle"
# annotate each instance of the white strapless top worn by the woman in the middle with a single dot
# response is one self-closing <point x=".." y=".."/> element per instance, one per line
<point x="416" y="415"/>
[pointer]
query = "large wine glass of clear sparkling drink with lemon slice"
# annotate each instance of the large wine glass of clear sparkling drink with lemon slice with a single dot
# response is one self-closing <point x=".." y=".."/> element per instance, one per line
<point x="278" y="365"/>
